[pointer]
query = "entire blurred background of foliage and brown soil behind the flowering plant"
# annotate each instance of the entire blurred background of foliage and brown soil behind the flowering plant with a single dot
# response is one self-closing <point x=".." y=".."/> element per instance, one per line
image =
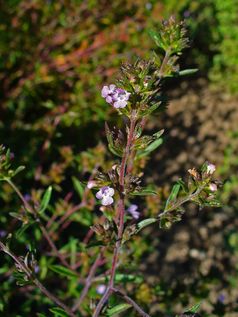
<point x="55" y="56"/>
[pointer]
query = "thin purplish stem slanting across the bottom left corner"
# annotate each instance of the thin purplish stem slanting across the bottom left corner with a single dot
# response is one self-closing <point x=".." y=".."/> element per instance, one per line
<point x="35" y="281"/>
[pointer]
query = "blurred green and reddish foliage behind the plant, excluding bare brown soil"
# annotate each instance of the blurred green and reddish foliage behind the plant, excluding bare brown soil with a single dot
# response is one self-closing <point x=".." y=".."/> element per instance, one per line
<point x="54" y="58"/>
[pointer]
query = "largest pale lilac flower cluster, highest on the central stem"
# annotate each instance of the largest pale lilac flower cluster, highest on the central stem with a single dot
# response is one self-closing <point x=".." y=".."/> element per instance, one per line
<point x="117" y="97"/>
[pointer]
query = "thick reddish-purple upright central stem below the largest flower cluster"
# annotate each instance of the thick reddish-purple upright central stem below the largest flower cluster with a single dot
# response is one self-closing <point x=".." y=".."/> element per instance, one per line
<point x="120" y="215"/>
